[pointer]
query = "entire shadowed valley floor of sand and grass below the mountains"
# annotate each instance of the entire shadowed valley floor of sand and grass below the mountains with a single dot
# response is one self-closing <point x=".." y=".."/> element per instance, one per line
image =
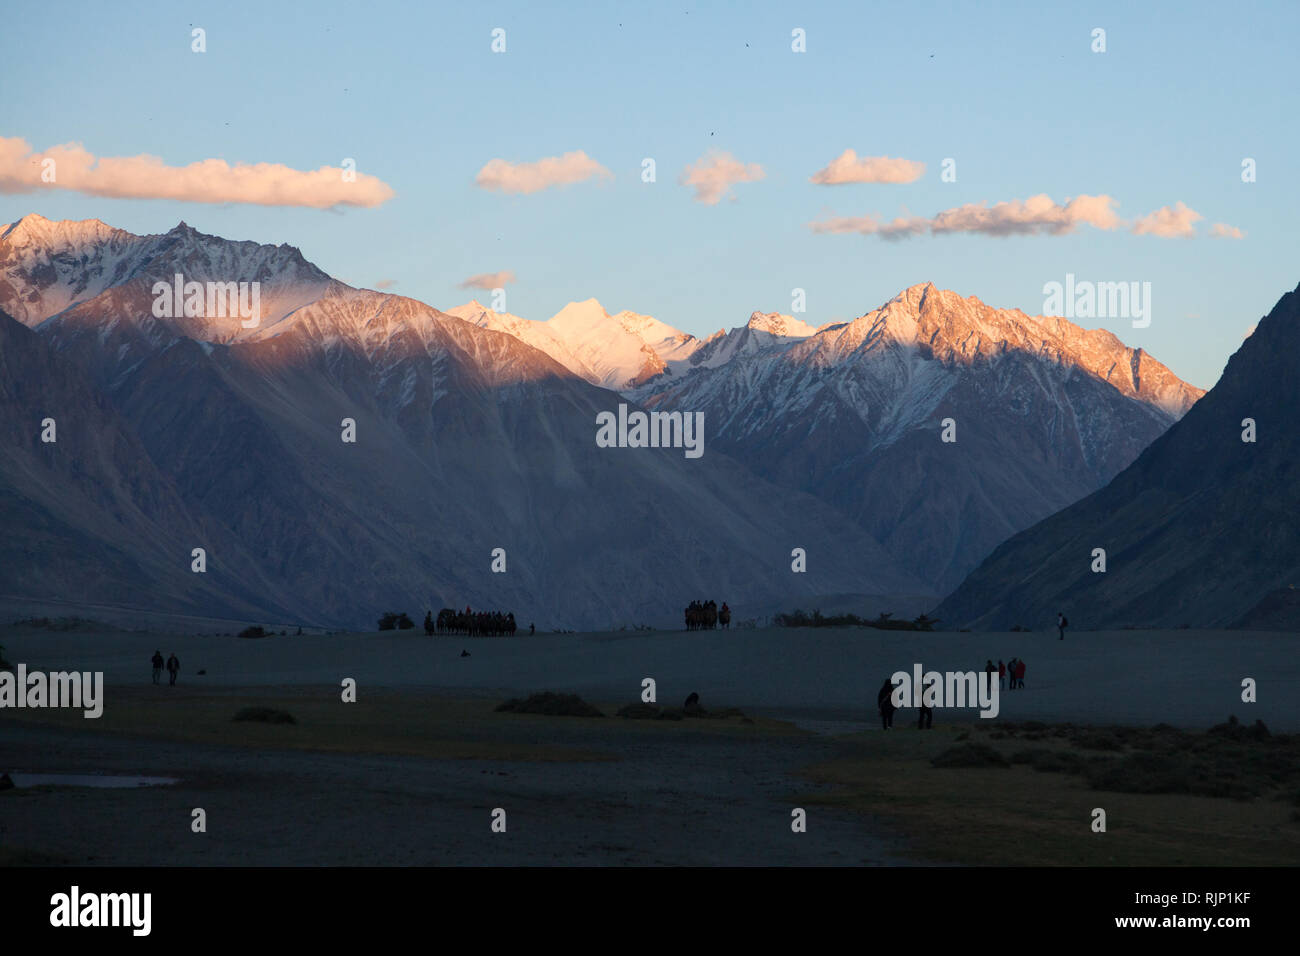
<point x="411" y="773"/>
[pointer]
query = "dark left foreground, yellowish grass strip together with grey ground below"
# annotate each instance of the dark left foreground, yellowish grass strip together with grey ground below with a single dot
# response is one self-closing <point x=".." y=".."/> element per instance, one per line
<point x="583" y="791"/>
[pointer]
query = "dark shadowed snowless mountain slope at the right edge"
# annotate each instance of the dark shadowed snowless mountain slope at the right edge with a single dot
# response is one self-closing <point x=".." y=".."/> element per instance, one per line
<point x="1199" y="531"/>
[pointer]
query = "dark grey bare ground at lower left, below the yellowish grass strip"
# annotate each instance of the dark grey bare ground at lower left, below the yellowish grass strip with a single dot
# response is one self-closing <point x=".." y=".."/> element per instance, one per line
<point x="717" y="803"/>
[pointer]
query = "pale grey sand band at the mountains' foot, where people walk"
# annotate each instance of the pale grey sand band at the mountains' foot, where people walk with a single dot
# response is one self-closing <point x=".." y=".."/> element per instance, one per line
<point x="826" y="678"/>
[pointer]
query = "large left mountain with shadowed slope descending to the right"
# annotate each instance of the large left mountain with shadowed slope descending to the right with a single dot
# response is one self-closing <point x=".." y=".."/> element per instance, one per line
<point x="467" y="440"/>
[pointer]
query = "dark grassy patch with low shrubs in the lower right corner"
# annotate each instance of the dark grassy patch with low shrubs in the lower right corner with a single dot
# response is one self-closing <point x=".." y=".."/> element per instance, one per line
<point x="1039" y="811"/>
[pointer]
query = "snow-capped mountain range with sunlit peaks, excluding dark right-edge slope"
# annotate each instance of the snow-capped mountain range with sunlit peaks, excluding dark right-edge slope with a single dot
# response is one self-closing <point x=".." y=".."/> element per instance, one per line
<point x="475" y="431"/>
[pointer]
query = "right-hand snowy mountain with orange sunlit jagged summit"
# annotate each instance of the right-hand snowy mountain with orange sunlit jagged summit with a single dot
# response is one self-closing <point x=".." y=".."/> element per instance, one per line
<point x="1045" y="414"/>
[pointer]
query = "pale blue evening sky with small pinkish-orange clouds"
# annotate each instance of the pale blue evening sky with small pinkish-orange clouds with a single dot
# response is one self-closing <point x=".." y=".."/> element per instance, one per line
<point x="526" y="167"/>
